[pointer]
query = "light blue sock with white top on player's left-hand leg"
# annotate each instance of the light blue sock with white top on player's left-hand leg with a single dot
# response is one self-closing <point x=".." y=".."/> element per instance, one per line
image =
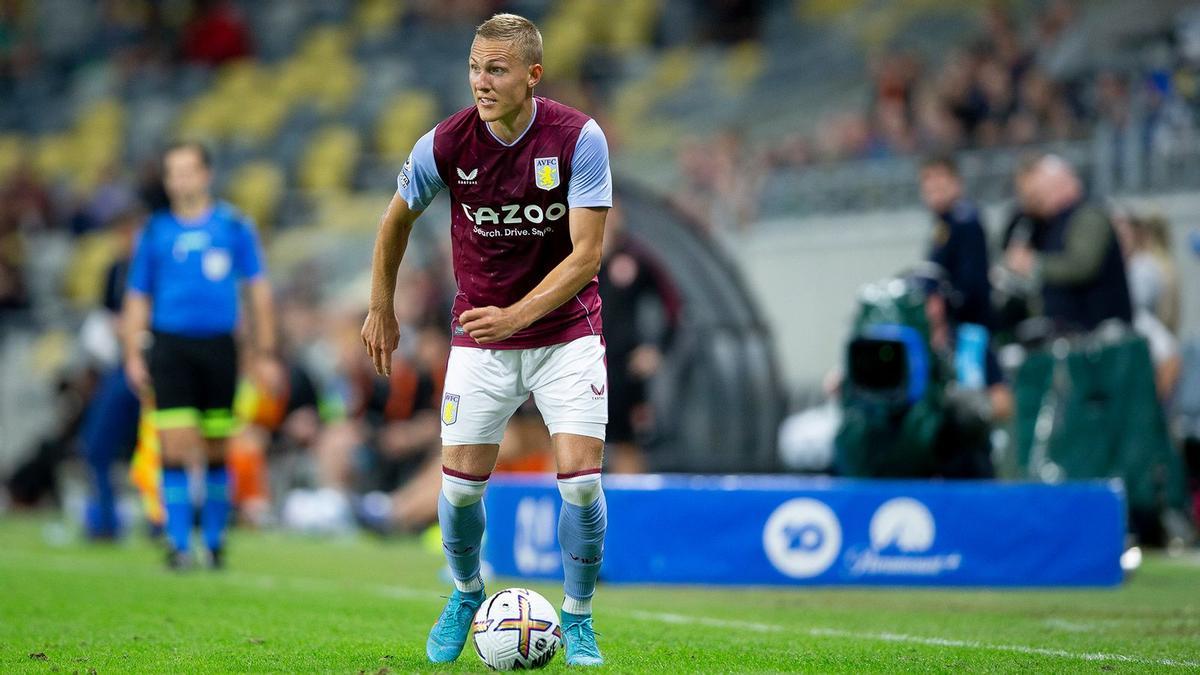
<point x="463" y="519"/>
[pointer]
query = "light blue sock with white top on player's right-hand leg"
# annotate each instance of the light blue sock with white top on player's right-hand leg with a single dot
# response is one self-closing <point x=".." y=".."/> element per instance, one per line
<point x="583" y="523"/>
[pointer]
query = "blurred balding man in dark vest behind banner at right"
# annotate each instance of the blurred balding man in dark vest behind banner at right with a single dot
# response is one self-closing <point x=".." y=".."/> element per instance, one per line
<point x="1075" y="253"/>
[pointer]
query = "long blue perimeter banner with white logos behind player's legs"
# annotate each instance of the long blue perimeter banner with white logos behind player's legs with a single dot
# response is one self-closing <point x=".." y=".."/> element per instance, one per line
<point x="773" y="530"/>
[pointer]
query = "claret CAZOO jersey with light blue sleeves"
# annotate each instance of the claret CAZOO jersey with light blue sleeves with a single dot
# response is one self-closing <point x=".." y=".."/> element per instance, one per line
<point x="509" y="211"/>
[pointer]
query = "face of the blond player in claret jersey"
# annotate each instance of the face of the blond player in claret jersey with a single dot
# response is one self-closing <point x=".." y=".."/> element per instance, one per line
<point x="500" y="80"/>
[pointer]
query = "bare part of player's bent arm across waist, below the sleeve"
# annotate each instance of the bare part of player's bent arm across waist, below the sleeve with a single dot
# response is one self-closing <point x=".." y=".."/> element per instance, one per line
<point x="493" y="325"/>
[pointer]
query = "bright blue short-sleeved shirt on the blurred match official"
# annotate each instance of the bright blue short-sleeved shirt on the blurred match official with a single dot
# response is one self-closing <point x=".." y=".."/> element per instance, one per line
<point x="191" y="270"/>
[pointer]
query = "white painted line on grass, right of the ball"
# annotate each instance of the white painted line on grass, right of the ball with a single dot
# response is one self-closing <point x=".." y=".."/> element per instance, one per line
<point x="910" y="640"/>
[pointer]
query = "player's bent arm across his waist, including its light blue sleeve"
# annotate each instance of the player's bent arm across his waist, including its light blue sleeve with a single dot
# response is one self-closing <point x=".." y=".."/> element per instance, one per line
<point x="590" y="196"/>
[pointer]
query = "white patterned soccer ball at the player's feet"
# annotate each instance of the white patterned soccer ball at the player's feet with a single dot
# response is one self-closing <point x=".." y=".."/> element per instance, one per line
<point x="517" y="630"/>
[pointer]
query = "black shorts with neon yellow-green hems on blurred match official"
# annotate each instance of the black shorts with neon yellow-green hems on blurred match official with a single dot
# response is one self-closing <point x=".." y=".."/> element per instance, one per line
<point x="195" y="380"/>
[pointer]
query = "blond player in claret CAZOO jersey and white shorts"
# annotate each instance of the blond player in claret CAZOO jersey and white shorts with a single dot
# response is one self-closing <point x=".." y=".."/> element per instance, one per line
<point x="530" y="190"/>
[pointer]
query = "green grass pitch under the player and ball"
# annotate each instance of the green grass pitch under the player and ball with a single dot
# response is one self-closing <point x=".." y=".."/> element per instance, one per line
<point x="359" y="606"/>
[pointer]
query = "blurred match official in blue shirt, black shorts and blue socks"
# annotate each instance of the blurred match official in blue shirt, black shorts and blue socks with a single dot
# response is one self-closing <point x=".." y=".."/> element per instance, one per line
<point x="182" y="307"/>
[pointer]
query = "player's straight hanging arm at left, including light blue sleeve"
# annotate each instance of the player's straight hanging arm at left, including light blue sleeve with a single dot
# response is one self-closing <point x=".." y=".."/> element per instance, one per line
<point x="416" y="188"/>
